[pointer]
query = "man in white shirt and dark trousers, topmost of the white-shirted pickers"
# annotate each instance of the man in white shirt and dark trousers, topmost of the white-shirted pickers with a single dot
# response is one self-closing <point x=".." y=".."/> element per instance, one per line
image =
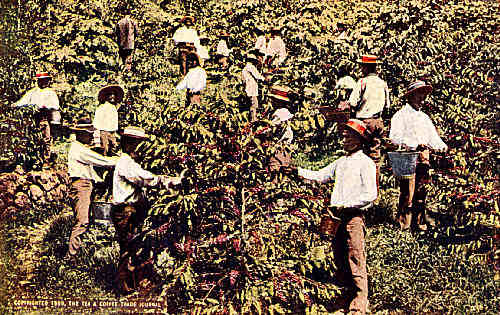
<point x="186" y="38"/>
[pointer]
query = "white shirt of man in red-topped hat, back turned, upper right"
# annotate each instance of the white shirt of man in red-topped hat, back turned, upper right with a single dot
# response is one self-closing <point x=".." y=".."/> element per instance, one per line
<point x="370" y="95"/>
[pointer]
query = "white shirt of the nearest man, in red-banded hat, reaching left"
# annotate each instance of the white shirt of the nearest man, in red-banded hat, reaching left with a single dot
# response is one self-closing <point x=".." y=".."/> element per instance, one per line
<point x="355" y="180"/>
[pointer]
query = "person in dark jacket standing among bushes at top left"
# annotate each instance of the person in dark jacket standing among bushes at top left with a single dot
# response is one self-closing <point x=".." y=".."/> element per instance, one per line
<point x="126" y="33"/>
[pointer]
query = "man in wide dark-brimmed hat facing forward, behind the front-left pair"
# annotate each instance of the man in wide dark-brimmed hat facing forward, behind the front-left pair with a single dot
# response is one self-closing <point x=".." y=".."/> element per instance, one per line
<point x="106" y="116"/>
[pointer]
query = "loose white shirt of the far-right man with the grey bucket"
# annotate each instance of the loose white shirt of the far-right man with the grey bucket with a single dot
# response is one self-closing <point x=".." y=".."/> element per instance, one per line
<point x="412" y="128"/>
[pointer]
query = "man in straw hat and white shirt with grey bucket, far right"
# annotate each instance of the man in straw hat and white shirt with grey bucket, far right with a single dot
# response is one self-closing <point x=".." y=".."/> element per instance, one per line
<point x="413" y="130"/>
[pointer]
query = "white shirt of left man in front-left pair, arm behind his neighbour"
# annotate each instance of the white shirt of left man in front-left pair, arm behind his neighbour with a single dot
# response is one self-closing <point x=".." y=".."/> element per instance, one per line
<point x="81" y="162"/>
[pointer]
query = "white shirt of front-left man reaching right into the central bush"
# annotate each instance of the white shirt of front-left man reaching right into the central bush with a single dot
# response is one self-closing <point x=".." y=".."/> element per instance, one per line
<point x="128" y="178"/>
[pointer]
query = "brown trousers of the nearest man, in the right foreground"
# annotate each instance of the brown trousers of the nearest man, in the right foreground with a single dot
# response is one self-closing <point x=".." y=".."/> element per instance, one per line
<point x="350" y="259"/>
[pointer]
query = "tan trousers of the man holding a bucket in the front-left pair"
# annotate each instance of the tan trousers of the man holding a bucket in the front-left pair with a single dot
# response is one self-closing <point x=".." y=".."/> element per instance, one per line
<point x="80" y="194"/>
